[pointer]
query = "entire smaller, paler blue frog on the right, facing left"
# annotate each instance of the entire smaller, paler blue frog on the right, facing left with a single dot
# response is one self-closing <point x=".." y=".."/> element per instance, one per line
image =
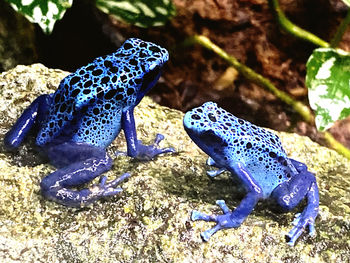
<point x="257" y="158"/>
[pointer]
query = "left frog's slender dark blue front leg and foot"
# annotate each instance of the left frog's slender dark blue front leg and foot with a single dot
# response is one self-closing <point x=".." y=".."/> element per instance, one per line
<point x="135" y="147"/>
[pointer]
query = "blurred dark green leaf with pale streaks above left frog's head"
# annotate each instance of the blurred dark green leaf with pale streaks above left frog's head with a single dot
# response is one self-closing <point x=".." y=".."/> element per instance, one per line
<point x="142" y="13"/>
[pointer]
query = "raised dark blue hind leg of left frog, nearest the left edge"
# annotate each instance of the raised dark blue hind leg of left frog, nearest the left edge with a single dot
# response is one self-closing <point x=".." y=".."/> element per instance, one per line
<point x="36" y="111"/>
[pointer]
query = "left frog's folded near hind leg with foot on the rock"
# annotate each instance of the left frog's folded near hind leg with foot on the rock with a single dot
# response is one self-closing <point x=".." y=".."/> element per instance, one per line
<point x="80" y="164"/>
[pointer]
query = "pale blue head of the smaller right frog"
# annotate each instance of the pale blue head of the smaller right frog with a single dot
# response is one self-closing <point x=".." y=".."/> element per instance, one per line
<point x="206" y="128"/>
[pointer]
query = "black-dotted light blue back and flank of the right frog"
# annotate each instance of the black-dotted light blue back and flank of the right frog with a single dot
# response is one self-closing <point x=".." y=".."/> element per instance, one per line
<point x="258" y="149"/>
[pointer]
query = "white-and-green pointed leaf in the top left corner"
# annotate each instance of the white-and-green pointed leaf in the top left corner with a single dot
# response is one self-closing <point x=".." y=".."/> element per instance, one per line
<point x="43" y="12"/>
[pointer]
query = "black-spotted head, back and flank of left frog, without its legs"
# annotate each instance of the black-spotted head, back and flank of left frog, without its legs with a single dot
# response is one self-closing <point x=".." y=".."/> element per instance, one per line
<point x="88" y="104"/>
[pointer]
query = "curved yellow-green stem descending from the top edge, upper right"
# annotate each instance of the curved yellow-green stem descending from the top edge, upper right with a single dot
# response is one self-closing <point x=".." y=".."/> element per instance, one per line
<point x="293" y="29"/>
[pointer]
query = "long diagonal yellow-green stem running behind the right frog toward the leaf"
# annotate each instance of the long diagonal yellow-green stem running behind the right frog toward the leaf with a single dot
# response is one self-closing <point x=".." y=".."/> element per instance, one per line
<point x="256" y="78"/>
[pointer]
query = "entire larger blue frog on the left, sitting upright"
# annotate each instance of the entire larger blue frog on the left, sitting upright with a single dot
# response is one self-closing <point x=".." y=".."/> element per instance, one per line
<point x="85" y="114"/>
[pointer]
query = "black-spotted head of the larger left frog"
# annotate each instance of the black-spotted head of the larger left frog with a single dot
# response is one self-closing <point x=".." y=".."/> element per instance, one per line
<point x="142" y="62"/>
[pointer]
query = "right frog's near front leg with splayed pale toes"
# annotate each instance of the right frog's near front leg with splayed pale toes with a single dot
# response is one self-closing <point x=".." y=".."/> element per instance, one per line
<point x="233" y="218"/>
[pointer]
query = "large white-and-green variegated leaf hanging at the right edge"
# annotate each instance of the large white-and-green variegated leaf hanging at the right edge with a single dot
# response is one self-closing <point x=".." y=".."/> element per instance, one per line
<point x="328" y="81"/>
